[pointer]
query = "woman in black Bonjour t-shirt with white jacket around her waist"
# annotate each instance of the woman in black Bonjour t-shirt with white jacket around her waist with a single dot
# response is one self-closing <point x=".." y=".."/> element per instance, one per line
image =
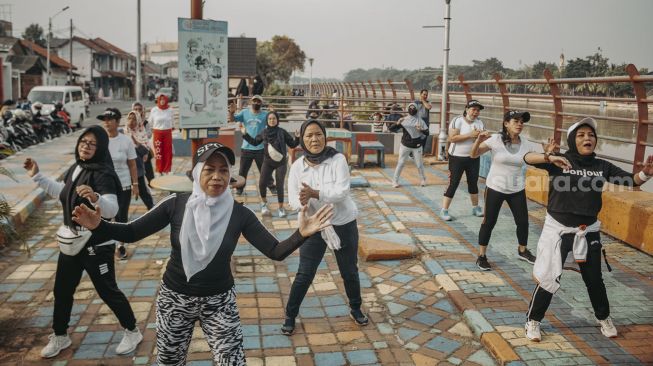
<point x="576" y="181"/>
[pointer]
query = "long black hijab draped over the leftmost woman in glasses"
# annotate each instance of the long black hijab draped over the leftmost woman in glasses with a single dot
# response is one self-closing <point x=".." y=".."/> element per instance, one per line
<point x="97" y="172"/>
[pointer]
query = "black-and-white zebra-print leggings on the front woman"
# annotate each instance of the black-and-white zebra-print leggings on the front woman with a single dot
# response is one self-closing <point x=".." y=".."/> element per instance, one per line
<point x="176" y="315"/>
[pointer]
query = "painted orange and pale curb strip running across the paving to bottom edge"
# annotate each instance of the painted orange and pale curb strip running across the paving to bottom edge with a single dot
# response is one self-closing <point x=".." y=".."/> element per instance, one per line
<point x="490" y="338"/>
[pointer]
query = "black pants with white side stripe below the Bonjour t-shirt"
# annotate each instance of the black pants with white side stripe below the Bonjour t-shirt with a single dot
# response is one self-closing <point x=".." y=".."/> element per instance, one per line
<point x="591" y="273"/>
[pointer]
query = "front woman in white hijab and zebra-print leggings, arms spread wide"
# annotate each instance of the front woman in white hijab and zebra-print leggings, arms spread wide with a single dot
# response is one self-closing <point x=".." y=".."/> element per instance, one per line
<point x="198" y="283"/>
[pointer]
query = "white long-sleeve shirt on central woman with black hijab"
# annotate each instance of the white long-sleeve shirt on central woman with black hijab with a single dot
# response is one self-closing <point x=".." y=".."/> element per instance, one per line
<point x="332" y="179"/>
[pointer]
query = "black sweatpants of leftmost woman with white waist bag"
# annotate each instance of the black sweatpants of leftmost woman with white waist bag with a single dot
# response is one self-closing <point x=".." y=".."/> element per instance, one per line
<point x="98" y="262"/>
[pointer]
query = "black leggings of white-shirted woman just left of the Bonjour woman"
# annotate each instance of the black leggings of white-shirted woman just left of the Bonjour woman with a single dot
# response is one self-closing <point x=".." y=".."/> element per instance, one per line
<point x="493" y="202"/>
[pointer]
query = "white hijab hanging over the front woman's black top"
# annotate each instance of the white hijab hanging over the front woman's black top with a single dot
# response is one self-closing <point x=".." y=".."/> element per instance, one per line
<point x="204" y="225"/>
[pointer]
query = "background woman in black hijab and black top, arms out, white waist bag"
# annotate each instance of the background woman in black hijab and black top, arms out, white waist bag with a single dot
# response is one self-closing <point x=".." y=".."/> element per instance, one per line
<point x="275" y="159"/>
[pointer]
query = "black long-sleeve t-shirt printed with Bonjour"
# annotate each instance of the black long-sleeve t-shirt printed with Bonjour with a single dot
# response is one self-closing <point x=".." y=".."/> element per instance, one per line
<point x="575" y="194"/>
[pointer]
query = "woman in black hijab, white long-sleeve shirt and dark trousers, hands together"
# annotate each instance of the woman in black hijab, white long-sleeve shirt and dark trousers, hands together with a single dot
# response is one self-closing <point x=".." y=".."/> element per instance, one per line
<point x="319" y="178"/>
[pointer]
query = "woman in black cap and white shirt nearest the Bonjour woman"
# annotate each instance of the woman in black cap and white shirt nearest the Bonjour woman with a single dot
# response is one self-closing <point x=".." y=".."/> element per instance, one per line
<point x="505" y="182"/>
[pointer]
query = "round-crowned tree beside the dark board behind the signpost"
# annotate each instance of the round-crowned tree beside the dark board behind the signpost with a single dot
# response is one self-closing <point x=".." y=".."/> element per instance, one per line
<point x="278" y="58"/>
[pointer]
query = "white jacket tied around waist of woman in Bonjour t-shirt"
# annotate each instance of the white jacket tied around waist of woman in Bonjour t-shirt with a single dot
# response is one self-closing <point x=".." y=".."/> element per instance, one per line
<point x="548" y="265"/>
